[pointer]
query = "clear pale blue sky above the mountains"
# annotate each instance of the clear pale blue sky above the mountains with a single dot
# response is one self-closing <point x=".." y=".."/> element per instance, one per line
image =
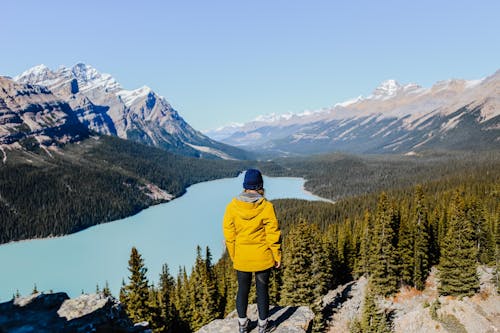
<point x="223" y="61"/>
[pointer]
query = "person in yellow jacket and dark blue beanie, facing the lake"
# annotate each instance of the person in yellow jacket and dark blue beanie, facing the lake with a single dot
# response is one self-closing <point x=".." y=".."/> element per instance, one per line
<point x="253" y="241"/>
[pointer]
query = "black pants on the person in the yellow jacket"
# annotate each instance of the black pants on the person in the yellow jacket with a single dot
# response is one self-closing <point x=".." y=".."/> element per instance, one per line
<point x="262" y="287"/>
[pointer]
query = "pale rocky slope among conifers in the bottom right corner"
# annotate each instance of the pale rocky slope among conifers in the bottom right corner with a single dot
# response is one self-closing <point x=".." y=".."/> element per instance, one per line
<point x="416" y="311"/>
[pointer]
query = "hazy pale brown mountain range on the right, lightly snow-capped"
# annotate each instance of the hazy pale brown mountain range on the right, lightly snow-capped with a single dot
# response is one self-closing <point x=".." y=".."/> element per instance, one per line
<point x="395" y="118"/>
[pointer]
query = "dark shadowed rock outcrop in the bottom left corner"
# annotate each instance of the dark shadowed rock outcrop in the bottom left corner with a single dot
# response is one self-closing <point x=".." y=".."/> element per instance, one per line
<point x="56" y="312"/>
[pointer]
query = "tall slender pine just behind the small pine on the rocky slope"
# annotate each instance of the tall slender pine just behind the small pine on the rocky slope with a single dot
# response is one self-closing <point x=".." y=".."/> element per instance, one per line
<point x="384" y="260"/>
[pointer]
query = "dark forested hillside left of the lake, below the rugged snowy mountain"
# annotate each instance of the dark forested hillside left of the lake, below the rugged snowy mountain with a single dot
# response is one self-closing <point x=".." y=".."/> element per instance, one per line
<point x="92" y="182"/>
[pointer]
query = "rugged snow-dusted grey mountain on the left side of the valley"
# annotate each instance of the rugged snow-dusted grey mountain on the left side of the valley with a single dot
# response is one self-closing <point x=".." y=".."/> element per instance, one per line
<point x="40" y="101"/>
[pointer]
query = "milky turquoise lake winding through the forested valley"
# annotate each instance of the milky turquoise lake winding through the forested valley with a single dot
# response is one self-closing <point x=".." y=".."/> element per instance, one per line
<point x="165" y="233"/>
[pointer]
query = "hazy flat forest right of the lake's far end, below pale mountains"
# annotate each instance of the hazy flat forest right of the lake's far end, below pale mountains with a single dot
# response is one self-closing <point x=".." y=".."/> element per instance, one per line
<point x="339" y="175"/>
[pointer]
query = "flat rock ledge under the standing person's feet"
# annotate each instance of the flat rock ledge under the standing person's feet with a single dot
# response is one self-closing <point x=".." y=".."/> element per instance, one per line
<point x="290" y="319"/>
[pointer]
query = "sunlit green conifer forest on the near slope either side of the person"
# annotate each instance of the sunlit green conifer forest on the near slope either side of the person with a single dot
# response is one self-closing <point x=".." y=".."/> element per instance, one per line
<point x="392" y="237"/>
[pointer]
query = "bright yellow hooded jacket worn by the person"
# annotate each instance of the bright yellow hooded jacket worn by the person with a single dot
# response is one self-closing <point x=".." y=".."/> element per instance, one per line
<point x="252" y="235"/>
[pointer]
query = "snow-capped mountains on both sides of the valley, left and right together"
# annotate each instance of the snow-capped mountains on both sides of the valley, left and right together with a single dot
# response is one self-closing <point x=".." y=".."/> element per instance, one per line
<point x="45" y="108"/>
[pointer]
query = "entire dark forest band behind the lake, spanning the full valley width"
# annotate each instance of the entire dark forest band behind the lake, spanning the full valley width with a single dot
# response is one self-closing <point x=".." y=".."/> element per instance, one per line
<point x="101" y="180"/>
